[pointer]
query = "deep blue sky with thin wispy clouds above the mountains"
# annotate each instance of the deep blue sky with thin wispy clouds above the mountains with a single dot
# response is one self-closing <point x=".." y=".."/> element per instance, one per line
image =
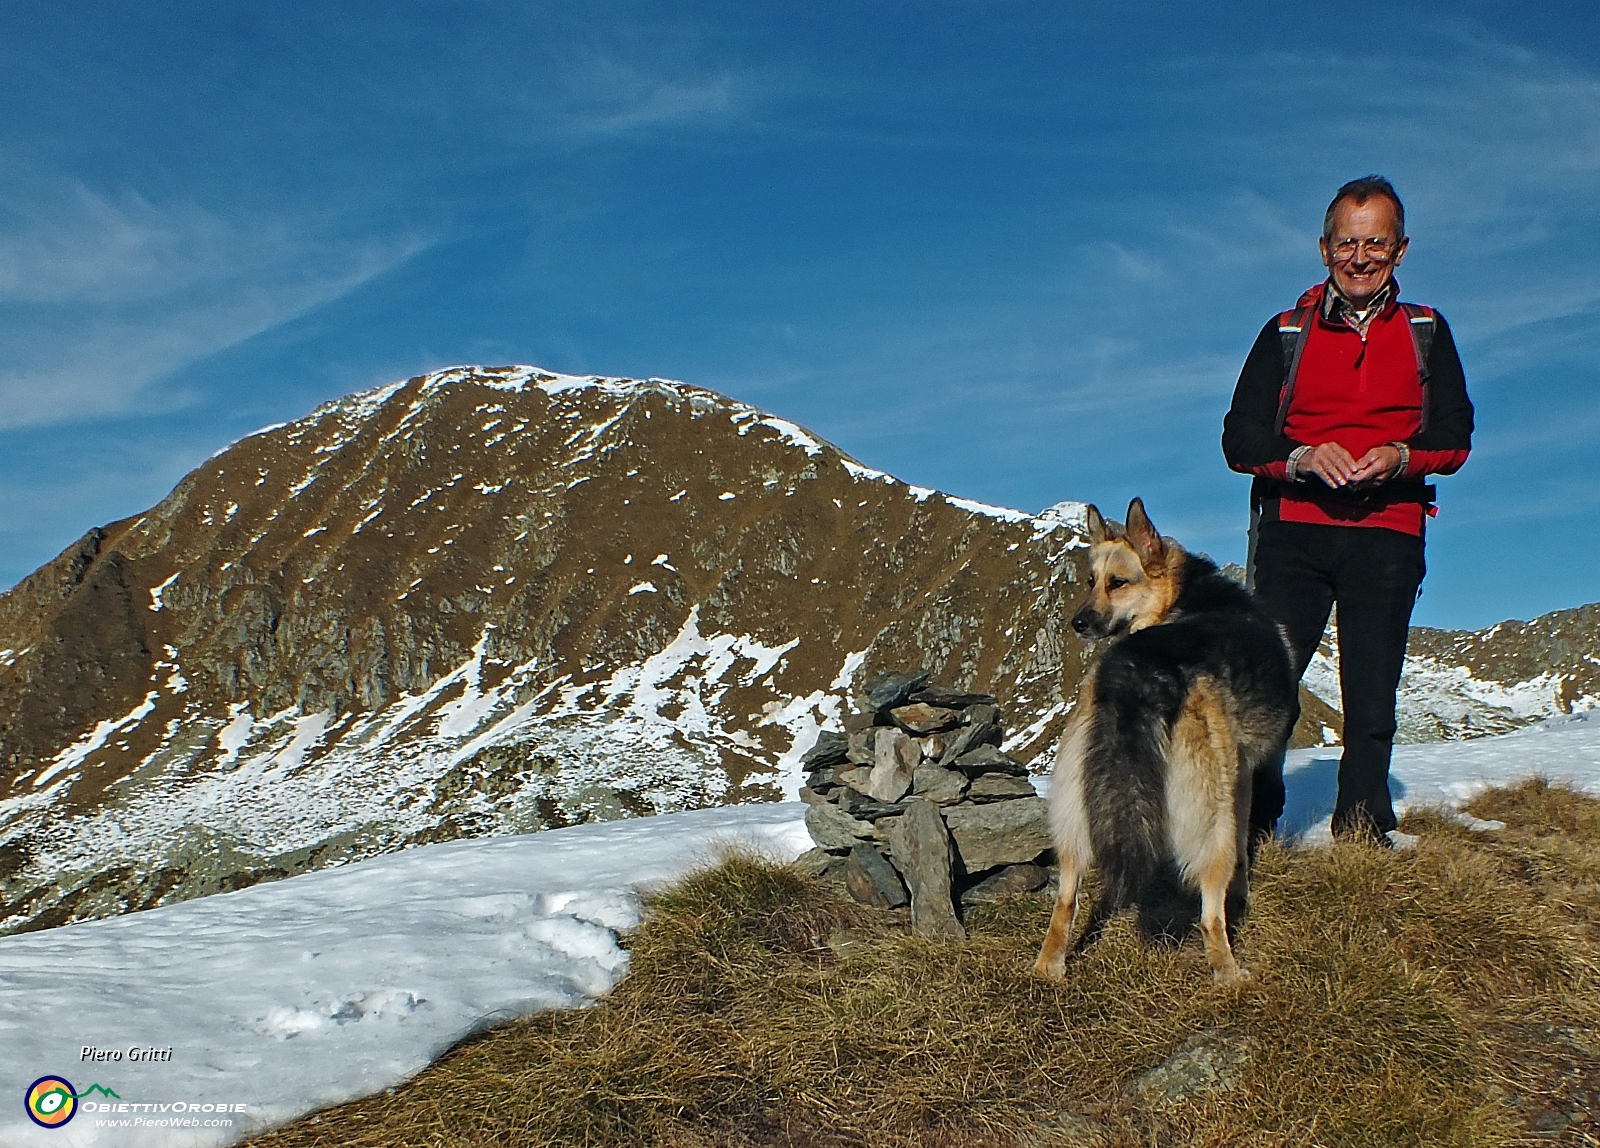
<point x="1015" y="252"/>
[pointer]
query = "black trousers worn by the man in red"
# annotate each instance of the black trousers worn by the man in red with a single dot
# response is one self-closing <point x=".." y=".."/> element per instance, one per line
<point x="1303" y="570"/>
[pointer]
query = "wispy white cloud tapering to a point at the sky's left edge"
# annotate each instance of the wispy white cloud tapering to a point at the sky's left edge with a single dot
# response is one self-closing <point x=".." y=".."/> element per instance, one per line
<point x="106" y="293"/>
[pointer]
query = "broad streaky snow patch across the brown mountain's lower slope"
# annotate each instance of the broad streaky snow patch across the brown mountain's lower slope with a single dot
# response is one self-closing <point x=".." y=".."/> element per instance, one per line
<point x="295" y="781"/>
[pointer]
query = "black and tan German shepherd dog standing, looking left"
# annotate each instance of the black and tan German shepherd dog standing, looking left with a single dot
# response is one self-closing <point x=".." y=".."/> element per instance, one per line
<point x="1153" y="781"/>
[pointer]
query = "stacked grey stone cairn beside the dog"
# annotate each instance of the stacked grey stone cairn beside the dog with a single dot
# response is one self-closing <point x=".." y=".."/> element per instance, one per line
<point x="916" y="803"/>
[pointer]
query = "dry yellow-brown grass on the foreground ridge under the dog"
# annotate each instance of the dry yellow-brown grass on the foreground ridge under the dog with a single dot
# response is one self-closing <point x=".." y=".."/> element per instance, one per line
<point x="1449" y="995"/>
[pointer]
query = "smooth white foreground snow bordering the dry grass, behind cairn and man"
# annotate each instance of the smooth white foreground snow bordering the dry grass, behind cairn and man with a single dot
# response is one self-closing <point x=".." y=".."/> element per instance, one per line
<point x="292" y="997"/>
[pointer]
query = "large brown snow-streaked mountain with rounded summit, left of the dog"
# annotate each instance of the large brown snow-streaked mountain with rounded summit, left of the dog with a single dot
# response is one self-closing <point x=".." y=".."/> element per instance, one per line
<point x="484" y="600"/>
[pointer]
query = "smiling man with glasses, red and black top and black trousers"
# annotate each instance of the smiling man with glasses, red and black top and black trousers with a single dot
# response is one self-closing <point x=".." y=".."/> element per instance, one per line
<point x="1345" y="405"/>
